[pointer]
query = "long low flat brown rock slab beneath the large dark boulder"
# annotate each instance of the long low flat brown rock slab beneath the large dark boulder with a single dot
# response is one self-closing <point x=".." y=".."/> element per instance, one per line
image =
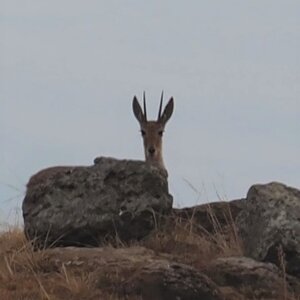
<point x="135" y="271"/>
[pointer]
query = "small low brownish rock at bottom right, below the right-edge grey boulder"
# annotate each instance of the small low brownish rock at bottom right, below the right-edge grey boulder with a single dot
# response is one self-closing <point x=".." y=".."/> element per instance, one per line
<point x="252" y="279"/>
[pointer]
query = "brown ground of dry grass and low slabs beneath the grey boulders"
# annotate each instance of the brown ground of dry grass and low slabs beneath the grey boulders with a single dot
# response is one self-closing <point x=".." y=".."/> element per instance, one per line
<point x="184" y="254"/>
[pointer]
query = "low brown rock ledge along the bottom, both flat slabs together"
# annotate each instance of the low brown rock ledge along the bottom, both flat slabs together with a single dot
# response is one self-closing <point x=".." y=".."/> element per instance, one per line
<point x="140" y="272"/>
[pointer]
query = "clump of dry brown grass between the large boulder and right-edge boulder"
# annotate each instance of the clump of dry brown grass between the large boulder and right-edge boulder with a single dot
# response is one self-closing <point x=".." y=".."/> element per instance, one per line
<point x="190" y="243"/>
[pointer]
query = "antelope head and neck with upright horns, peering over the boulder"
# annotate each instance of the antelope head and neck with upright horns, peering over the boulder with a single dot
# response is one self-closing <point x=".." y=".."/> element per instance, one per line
<point x="152" y="131"/>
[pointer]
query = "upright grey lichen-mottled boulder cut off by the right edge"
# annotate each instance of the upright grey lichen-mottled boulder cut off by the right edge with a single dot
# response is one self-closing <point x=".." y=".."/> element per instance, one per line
<point x="269" y="225"/>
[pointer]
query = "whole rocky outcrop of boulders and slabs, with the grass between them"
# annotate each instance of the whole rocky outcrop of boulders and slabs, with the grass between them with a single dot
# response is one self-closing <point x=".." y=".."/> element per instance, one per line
<point x="123" y="200"/>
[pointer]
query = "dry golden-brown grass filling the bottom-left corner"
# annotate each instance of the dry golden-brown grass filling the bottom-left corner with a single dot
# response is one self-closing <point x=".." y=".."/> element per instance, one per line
<point x="27" y="274"/>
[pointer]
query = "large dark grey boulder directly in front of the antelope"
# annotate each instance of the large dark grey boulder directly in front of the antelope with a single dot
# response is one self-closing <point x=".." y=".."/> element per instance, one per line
<point x="88" y="205"/>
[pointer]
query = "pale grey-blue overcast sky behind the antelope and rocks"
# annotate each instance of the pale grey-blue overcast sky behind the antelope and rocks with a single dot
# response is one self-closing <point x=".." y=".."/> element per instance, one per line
<point x="69" y="71"/>
